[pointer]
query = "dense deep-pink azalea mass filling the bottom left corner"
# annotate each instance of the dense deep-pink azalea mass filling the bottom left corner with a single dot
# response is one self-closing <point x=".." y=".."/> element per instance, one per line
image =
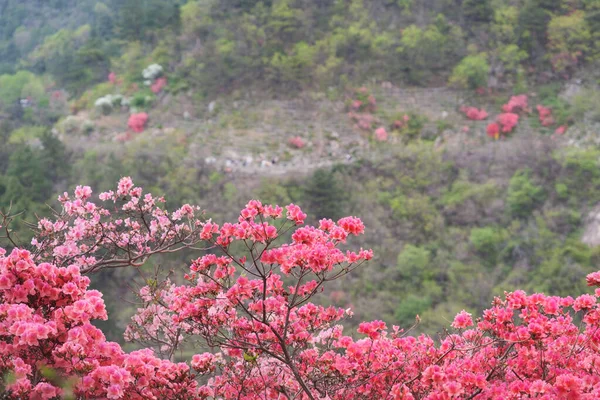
<point x="45" y="315"/>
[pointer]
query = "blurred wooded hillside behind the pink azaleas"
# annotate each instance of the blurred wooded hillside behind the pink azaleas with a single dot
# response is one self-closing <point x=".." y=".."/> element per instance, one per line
<point x="456" y="210"/>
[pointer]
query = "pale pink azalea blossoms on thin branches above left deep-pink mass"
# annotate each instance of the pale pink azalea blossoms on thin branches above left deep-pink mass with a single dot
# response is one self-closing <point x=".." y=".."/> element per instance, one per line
<point x="130" y="227"/>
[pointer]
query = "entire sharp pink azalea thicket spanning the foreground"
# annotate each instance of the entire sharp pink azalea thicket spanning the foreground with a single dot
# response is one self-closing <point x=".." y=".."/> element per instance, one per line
<point x="253" y="315"/>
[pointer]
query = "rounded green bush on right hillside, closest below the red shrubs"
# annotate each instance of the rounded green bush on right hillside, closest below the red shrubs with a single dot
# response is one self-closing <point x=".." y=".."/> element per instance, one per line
<point x="523" y="195"/>
